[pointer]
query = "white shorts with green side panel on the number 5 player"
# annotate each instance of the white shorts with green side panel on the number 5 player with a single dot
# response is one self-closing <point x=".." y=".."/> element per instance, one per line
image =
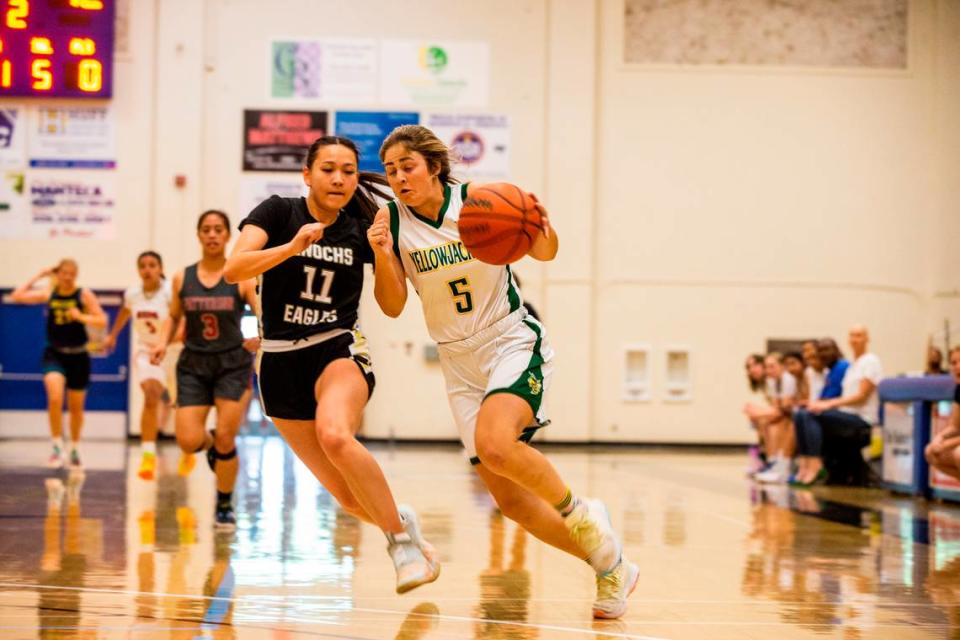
<point x="511" y="356"/>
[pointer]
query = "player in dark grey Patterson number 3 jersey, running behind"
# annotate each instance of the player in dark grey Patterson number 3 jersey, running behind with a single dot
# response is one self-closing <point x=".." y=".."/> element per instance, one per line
<point x="214" y="367"/>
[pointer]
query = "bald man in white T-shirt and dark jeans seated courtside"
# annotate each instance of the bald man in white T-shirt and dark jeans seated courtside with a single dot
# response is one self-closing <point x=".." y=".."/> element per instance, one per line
<point x="830" y="425"/>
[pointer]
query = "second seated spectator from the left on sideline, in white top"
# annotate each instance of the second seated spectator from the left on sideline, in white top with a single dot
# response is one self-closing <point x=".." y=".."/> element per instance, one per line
<point x="774" y="420"/>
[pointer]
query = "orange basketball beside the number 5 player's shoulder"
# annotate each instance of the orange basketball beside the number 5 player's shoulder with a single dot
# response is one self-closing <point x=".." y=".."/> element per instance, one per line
<point x="499" y="222"/>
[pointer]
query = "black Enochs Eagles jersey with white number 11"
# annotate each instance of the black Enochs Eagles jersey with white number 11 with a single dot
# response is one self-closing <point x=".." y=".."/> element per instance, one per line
<point x="319" y="289"/>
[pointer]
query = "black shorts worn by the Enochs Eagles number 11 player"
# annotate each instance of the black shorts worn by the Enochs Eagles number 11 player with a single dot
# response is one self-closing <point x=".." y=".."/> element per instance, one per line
<point x="287" y="378"/>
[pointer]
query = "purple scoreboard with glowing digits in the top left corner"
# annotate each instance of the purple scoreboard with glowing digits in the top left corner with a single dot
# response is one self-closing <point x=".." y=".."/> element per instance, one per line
<point x="61" y="48"/>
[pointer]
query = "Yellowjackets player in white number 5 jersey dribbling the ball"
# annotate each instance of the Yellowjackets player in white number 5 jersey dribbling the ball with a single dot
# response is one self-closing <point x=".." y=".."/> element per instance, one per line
<point x="496" y="360"/>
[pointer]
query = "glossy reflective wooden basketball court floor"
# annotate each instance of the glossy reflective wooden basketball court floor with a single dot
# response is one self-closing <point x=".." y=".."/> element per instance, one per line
<point x="102" y="554"/>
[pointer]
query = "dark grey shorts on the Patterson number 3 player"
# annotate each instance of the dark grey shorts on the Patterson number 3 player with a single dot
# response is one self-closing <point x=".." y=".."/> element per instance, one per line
<point x="201" y="377"/>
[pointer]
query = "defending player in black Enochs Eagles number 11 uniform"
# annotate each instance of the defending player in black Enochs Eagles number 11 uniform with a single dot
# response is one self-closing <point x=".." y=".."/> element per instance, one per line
<point x="315" y="371"/>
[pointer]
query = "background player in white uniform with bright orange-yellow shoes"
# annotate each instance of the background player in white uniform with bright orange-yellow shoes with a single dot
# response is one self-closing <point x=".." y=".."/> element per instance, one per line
<point x="148" y="303"/>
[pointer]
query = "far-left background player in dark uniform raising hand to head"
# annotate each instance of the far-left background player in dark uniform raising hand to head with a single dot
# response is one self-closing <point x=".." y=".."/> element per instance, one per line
<point x="66" y="362"/>
